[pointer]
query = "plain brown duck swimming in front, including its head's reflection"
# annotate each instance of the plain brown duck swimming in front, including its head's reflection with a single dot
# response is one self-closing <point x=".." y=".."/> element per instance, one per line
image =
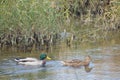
<point x="87" y="63"/>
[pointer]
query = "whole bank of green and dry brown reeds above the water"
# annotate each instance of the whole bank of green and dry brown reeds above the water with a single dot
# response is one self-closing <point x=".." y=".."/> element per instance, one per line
<point x="25" y="23"/>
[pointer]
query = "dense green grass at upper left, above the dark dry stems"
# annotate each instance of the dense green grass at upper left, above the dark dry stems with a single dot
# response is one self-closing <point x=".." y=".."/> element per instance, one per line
<point x="27" y="14"/>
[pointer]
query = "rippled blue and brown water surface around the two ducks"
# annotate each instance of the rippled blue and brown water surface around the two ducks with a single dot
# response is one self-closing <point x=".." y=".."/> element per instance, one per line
<point x="106" y="60"/>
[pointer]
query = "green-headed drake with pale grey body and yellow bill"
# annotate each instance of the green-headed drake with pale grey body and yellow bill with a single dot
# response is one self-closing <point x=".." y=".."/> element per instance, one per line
<point x="33" y="61"/>
